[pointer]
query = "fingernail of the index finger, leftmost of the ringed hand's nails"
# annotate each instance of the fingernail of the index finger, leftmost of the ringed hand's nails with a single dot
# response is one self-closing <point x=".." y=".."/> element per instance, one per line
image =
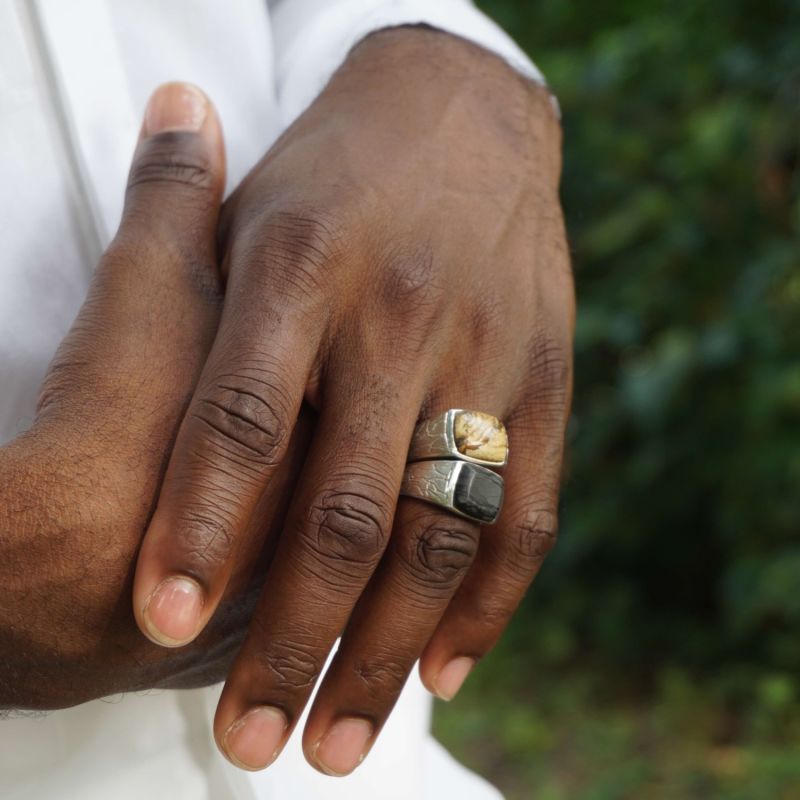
<point x="172" y="612"/>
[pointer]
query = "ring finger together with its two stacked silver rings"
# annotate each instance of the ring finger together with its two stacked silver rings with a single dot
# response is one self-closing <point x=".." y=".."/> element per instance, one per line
<point x="429" y="553"/>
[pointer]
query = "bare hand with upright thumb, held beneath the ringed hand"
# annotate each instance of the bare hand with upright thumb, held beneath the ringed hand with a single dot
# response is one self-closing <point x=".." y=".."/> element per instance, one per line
<point x="77" y="490"/>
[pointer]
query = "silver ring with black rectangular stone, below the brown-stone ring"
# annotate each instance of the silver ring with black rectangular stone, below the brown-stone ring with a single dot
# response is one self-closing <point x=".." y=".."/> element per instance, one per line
<point x="468" y="490"/>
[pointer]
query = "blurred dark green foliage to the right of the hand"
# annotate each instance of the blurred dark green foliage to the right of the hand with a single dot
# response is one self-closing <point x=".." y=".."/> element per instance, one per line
<point x="679" y="552"/>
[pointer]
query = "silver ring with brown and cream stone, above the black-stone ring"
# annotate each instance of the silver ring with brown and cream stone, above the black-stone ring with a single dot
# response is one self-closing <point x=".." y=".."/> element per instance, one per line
<point x="465" y="435"/>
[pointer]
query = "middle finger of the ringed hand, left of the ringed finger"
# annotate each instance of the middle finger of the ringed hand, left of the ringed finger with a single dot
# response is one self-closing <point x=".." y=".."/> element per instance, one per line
<point x="338" y="528"/>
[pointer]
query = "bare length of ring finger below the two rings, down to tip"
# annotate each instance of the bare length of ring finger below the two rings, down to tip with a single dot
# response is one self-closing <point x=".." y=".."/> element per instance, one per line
<point x="429" y="553"/>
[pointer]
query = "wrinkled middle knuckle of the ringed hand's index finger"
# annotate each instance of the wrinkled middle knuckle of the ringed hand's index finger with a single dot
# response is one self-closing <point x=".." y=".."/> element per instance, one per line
<point x="246" y="420"/>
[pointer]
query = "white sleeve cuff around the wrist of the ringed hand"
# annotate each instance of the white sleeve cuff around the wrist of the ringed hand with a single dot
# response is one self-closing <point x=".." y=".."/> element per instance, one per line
<point x="313" y="37"/>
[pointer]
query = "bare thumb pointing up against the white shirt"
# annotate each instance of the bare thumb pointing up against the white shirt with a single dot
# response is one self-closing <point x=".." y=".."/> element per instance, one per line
<point x="154" y="300"/>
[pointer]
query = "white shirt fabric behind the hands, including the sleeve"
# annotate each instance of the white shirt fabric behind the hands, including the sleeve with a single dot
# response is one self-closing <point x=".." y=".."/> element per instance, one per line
<point x="74" y="79"/>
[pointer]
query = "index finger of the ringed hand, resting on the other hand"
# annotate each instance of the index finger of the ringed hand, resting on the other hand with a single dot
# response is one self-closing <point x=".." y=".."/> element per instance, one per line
<point x="231" y="441"/>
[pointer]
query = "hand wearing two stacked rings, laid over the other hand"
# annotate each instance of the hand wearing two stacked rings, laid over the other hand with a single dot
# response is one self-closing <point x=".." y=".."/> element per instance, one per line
<point x="399" y="251"/>
